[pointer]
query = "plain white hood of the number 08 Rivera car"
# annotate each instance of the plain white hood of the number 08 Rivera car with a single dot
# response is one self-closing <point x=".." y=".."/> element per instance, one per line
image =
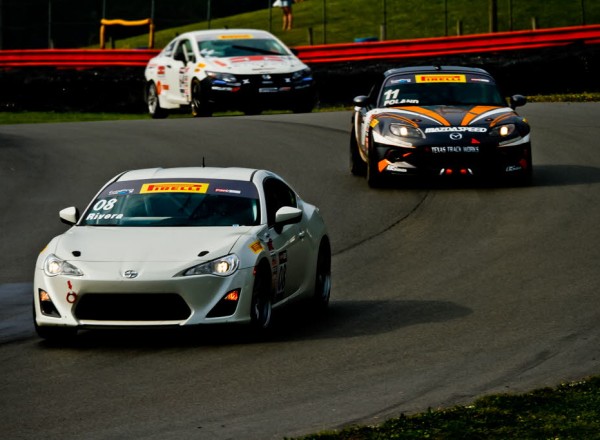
<point x="147" y="244"/>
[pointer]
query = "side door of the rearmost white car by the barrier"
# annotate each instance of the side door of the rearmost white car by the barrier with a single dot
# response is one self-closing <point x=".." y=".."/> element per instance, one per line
<point x="177" y="73"/>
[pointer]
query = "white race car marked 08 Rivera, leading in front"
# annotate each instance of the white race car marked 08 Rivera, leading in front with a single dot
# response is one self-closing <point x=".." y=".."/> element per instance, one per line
<point x="182" y="246"/>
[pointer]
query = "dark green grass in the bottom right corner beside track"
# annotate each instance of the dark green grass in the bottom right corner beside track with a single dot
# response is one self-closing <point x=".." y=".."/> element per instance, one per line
<point x="570" y="411"/>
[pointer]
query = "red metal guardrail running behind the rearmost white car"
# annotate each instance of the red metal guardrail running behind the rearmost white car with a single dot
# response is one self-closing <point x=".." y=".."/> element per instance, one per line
<point x="330" y="53"/>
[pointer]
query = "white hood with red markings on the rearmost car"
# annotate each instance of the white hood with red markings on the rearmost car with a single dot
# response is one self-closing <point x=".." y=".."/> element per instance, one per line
<point x="255" y="64"/>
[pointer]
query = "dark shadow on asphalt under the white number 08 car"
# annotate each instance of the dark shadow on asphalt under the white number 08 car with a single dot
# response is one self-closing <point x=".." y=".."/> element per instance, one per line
<point x="343" y="319"/>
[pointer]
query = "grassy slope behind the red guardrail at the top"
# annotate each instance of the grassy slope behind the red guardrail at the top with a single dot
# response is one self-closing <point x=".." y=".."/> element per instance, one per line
<point x="405" y="19"/>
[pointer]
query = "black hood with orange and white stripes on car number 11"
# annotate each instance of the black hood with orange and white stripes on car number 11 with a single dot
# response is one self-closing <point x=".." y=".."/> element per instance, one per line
<point x="449" y="116"/>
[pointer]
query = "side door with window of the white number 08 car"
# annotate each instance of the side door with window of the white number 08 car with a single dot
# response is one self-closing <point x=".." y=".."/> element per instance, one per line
<point x="288" y="246"/>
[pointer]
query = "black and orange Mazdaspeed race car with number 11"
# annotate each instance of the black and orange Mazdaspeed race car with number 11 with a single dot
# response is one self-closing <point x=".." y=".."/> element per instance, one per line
<point x="439" y="121"/>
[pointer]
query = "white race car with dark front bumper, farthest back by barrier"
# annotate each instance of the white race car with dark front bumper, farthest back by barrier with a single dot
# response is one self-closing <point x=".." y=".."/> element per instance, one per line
<point x="229" y="69"/>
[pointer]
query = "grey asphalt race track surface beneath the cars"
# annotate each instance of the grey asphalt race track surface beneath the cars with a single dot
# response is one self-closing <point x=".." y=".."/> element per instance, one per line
<point x="441" y="293"/>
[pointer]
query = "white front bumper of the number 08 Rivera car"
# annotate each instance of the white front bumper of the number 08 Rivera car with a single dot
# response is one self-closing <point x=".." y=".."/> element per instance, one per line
<point x="103" y="301"/>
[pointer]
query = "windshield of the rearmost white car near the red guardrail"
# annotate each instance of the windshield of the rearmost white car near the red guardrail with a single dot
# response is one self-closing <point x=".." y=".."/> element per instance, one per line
<point x="240" y="47"/>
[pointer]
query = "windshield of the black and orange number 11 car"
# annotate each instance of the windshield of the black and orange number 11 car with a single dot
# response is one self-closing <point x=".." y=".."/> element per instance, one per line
<point x="439" y="89"/>
